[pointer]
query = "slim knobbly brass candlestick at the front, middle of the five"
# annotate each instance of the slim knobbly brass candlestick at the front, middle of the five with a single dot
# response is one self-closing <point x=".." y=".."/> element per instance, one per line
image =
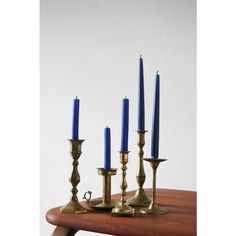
<point x="123" y="209"/>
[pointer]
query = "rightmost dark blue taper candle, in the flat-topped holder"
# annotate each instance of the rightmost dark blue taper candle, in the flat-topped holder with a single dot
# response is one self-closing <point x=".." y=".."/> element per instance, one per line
<point x="155" y="119"/>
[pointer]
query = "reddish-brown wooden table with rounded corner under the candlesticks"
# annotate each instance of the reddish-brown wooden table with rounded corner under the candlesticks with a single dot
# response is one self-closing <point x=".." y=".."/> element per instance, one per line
<point x="179" y="221"/>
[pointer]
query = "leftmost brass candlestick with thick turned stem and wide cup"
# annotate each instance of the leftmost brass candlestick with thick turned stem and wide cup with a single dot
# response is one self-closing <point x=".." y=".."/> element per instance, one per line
<point x="73" y="205"/>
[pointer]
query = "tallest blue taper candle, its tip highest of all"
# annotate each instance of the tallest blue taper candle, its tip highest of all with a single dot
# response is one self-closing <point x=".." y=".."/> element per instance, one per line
<point x="141" y="106"/>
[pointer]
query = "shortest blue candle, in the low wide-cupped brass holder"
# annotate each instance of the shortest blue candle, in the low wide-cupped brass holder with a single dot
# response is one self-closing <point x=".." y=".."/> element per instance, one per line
<point x="107" y="148"/>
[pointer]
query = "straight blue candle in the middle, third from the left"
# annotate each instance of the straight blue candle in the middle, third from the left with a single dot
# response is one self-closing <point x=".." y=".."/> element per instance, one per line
<point x="125" y="125"/>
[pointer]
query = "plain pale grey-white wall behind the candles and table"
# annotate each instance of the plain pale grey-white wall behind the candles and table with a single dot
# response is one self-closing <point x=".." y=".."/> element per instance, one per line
<point x="91" y="49"/>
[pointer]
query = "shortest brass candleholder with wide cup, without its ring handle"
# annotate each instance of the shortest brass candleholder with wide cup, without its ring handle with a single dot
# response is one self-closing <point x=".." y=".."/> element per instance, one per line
<point x="107" y="203"/>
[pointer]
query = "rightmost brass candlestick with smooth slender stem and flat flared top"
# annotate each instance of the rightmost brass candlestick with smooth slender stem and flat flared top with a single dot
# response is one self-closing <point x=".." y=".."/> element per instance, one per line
<point x="153" y="207"/>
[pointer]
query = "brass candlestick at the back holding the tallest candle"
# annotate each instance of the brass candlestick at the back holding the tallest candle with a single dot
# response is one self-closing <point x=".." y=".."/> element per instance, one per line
<point x="140" y="198"/>
